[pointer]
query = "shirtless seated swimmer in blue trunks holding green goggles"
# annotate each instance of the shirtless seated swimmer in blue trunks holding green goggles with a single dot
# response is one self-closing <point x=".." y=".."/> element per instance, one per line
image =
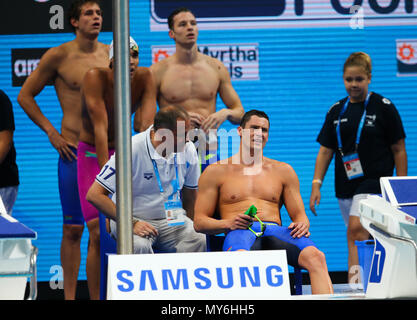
<point x="248" y="179"/>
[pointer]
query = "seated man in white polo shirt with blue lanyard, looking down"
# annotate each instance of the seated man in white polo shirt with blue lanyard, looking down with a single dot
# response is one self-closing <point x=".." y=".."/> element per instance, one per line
<point x="165" y="173"/>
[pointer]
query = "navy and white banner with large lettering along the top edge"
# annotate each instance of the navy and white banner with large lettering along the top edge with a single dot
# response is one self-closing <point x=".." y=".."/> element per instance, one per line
<point x="247" y="14"/>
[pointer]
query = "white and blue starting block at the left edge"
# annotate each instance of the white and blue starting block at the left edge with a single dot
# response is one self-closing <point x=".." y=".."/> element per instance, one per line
<point x="17" y="258"/>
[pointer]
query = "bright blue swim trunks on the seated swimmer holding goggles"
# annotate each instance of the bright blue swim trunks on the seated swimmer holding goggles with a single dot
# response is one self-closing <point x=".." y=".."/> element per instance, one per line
<point x="275" y="237"/>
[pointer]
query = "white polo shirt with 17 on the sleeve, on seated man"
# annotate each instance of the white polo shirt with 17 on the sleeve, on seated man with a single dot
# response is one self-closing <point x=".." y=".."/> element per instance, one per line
<point x="148" y="202"/>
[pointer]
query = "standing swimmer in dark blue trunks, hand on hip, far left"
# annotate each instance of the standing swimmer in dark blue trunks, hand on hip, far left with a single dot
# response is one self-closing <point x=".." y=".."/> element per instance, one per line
<point x="65" y="66"/>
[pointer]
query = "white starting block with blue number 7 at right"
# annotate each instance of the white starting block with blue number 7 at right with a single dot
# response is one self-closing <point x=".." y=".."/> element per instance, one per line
<point x="391" y="220"/>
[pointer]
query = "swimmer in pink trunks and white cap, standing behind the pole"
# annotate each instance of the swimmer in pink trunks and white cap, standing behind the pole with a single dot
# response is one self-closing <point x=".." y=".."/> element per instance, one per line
<point x="97" y="144"/>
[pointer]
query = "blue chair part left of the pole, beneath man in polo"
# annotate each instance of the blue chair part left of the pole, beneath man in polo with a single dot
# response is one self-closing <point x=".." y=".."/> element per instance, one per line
<point x="108" y="245"/>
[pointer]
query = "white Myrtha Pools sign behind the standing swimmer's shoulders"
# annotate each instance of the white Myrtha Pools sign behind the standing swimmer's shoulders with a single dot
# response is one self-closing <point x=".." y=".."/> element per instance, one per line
<point x="241" y="59"/>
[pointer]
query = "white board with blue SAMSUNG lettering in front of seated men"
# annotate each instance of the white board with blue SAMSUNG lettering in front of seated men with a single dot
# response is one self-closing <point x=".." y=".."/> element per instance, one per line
<point x="242" y="275"/>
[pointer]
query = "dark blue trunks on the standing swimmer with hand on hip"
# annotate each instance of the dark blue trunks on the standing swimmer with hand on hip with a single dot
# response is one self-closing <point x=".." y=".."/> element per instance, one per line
<point x="68" y="191"/>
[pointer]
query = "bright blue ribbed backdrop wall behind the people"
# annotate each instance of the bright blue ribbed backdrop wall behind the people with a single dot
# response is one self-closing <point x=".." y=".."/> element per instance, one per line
<point x="300" y="77"/>
